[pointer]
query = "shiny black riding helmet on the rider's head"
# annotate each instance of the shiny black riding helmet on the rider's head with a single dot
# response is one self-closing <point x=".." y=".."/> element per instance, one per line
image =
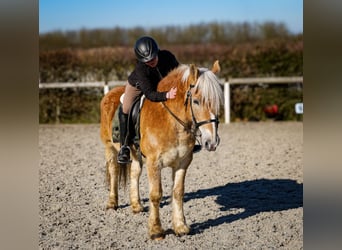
<point x="146" y="48"/>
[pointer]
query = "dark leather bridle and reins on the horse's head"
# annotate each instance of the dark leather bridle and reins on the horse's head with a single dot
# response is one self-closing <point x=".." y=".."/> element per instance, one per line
<point x="195" y="124"/>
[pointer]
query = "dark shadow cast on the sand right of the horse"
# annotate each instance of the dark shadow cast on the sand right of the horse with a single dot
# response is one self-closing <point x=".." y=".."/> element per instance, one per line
<point x="253" y="197"/>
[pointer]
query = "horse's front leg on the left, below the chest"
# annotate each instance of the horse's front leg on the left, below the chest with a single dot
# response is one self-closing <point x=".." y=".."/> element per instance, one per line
<point x="156" y="231"/>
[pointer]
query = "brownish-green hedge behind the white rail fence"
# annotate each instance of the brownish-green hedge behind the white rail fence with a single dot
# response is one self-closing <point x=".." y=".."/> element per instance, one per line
<point x="278" y="57"/>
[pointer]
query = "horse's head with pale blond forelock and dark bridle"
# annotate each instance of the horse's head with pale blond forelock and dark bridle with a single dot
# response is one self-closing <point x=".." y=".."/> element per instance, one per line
<point x="205" y="97"/>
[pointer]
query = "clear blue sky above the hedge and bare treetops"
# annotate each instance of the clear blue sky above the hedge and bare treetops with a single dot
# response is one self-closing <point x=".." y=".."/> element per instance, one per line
<point x="67" y="15"/>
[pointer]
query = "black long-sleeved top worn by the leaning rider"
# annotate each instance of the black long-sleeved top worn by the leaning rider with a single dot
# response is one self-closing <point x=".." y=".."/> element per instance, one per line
<point x="146" y="78"/>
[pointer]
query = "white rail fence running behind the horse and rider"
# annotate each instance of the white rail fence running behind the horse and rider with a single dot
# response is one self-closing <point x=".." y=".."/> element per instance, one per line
<point x="232" y="81"/>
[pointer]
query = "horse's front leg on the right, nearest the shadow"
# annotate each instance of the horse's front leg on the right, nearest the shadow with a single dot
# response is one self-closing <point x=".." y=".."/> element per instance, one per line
<point x="178" y="220"/>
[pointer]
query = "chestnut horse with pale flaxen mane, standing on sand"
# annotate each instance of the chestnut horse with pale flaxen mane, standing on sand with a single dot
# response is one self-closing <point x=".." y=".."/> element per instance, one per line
<point x="168" y="134"/>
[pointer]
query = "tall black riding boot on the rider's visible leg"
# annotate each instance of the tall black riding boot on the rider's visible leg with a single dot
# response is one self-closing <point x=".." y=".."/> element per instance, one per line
<point x="124" y="153"/>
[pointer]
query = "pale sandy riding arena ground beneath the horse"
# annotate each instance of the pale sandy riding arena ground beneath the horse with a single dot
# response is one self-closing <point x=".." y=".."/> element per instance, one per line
<point x="246" y="195"/>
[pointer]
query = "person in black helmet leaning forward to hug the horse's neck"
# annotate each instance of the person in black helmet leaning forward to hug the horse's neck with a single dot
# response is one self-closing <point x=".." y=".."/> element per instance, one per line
<point x="152" y="65"/>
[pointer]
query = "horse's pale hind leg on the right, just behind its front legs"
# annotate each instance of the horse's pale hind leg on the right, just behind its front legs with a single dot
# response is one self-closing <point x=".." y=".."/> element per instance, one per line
<point x="134" y="187"/>
